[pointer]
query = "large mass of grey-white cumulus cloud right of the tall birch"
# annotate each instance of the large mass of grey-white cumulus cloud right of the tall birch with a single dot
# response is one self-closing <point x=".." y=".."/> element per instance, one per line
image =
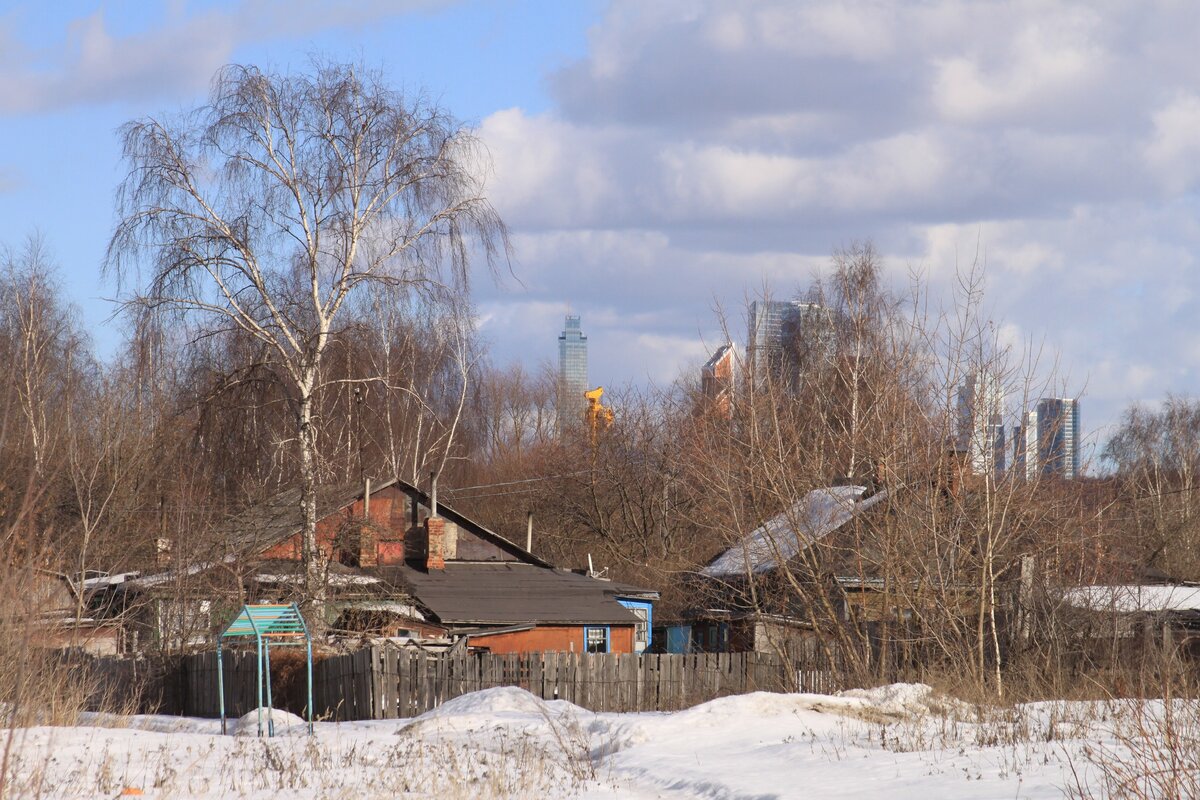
<point x="701" y="148"/>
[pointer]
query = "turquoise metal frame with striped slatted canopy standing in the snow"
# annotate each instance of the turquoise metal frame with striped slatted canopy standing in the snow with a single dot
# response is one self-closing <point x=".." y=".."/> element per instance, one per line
<point x="281" y="625"/>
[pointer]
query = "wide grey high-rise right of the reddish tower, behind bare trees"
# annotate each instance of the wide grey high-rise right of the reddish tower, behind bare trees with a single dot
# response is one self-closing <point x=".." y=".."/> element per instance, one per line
<point x="784" y="334"/>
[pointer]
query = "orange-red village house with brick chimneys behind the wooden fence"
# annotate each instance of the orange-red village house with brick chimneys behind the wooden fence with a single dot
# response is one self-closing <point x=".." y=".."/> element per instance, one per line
<point x="399" y="564"/>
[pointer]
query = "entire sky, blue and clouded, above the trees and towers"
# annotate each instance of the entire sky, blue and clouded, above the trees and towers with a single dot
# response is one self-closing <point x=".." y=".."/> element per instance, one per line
<point x="658" y="160"/>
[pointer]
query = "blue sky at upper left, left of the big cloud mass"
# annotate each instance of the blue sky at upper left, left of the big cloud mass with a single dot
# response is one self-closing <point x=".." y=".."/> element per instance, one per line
<point x="61" y="161"/>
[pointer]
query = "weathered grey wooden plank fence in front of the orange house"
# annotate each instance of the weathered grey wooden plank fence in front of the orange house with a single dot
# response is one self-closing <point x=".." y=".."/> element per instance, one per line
<point x="391" y="683"/>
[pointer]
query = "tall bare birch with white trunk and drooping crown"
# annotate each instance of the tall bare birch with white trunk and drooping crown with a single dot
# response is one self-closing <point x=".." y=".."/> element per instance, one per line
<point x="268" y="208"/>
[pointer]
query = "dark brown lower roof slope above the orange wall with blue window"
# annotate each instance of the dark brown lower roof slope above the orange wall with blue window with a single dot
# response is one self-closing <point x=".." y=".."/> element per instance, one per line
<point x="509" y="593"/>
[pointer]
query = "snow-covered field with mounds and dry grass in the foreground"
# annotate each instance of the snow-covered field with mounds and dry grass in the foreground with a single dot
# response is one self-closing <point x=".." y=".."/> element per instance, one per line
<point x="896" y="742"/>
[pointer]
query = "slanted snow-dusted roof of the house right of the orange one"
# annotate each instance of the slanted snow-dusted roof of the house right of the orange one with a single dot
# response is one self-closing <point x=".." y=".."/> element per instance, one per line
<point x="781" y="539"/>
